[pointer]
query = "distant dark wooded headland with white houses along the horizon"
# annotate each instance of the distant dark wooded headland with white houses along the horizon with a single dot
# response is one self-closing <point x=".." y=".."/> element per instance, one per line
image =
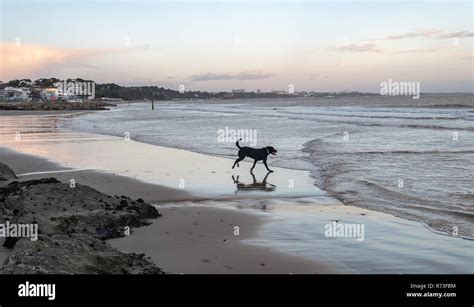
<point x="54" y="89"/>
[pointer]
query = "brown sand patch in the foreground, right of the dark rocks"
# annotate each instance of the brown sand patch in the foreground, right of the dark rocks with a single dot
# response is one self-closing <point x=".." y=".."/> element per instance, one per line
<point x="202" y="240"/>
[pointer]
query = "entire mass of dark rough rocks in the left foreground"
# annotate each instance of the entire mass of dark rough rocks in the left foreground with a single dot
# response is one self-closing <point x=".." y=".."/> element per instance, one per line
<point x="73" y="224"/>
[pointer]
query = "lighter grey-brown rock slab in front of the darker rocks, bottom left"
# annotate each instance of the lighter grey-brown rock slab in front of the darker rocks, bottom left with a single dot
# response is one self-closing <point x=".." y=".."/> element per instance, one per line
<point x="77" y="254"/>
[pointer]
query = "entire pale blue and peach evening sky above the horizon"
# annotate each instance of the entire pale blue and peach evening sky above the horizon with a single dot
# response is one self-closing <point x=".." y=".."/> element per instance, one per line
<point x="224" y="45"/>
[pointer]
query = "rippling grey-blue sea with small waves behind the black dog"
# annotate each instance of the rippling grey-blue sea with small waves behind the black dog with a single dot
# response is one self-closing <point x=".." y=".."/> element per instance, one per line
<point x="381" y="153"/>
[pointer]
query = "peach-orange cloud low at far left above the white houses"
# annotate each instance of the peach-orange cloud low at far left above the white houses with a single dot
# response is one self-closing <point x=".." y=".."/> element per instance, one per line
<point x="26" y="59"/>
